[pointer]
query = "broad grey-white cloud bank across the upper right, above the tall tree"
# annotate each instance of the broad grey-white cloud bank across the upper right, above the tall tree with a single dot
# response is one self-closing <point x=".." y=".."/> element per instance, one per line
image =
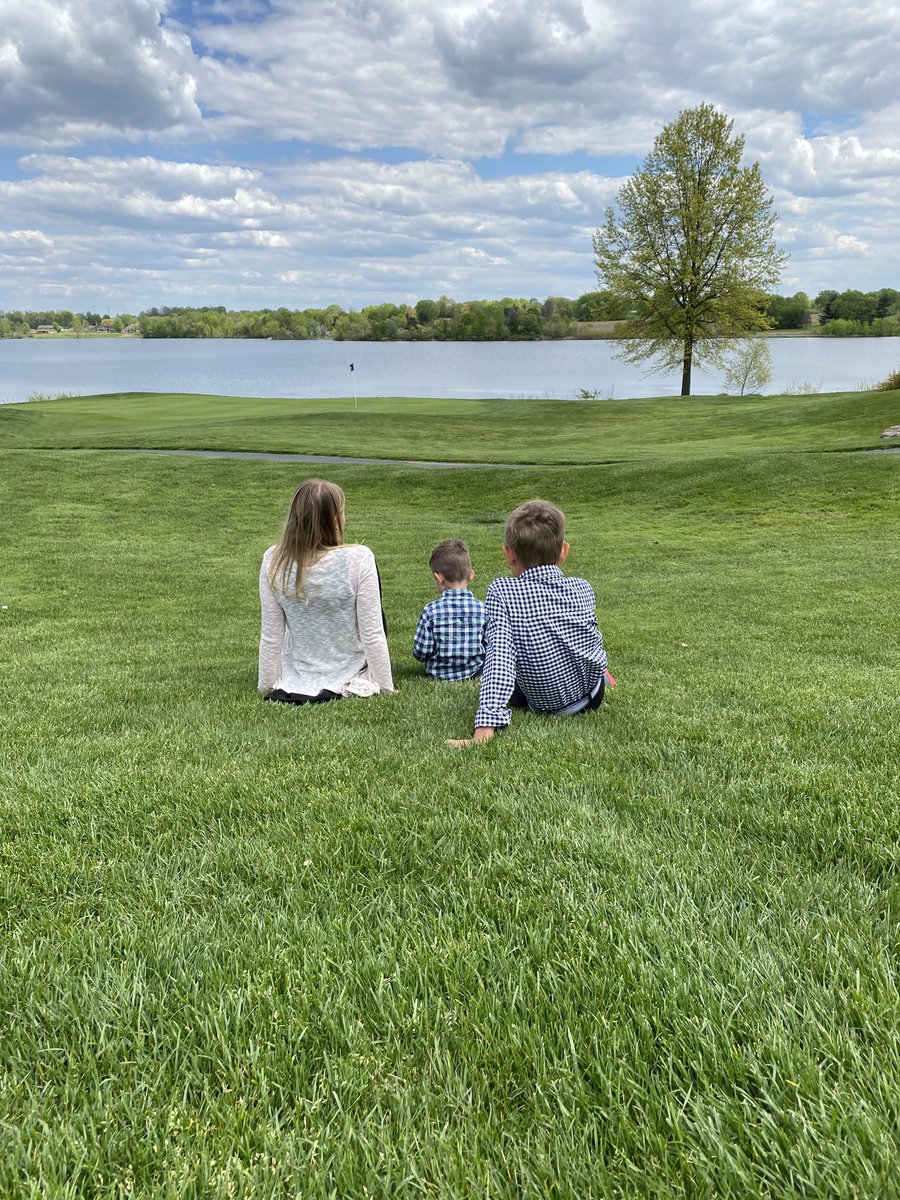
<point x="471" y="80"/>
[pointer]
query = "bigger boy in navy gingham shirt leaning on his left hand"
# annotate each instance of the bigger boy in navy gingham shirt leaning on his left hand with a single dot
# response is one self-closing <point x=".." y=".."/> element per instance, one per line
<point x="544" y="650"/>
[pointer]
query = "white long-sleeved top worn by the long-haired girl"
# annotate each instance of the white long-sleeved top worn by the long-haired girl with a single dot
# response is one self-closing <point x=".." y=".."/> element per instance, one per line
<point x="332" y="638"/>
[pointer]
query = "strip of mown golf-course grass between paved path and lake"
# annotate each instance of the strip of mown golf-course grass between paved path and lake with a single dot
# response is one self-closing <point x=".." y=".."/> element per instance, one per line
<point x="481" y="431"/>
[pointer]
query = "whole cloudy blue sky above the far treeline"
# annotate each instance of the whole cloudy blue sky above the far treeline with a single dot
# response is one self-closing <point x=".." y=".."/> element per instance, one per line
<point x="303" y="153"/>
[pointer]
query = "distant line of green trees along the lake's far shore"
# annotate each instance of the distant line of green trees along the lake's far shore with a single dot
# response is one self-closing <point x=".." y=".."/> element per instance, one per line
<point x="595" y="315"/>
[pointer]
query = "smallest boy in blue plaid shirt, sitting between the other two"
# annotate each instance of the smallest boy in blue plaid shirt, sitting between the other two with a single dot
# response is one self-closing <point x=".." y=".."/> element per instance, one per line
<point x="451" y="638"/>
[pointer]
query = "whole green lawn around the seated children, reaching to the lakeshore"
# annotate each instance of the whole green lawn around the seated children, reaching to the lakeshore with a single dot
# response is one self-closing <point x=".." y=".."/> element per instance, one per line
<point x="260" y="952"/>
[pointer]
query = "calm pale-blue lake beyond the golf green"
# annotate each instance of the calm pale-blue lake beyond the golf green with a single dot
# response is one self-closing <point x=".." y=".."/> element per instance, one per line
<point x="517" y="370"/>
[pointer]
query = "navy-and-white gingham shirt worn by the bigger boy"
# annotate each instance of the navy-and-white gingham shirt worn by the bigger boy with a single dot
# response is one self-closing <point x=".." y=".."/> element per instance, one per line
<point x="542" y="638"/>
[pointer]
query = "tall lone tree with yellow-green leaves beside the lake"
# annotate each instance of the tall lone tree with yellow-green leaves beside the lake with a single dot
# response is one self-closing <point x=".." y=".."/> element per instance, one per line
<point x="692" y="248"/>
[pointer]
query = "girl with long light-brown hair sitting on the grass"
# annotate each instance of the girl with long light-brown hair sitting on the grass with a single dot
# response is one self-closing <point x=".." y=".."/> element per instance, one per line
<point x="323" y="634"/>
